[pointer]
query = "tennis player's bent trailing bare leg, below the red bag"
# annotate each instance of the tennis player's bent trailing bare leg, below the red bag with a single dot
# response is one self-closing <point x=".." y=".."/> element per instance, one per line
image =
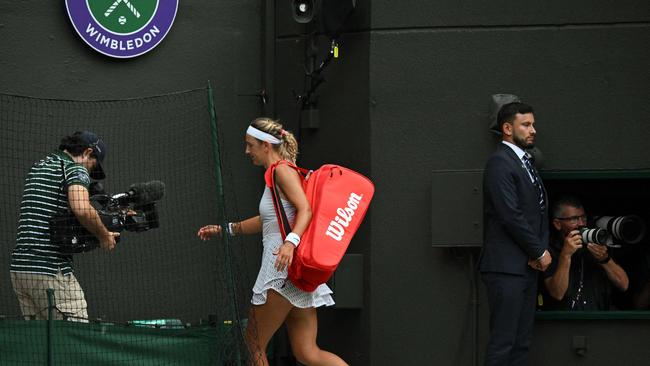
<point x="302" y="326"/>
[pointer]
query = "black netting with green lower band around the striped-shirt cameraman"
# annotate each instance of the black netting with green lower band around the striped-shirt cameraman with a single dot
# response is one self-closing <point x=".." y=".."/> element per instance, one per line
<point x="161" y="296"/>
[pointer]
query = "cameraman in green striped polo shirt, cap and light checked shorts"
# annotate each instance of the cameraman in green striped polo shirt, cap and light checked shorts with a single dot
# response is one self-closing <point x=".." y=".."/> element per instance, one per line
<point x="55" y="184"/>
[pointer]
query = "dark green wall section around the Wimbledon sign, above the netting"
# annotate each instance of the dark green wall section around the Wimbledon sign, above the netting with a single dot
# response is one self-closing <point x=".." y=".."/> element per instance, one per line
<point x="45" y="57"/>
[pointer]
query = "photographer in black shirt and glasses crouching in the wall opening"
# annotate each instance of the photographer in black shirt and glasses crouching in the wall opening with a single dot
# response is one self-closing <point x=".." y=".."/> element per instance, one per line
<point x="581" y="275"/>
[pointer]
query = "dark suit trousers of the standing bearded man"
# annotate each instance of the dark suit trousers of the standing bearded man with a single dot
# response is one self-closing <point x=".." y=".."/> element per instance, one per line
<point x="512" y="314"/>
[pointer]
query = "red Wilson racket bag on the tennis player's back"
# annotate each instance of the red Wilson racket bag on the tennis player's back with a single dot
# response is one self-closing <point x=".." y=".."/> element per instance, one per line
<point x="339" y="198"/>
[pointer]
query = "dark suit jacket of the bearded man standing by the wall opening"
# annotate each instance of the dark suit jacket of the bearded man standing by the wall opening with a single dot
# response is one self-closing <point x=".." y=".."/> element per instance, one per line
<point x="515" y="229"/>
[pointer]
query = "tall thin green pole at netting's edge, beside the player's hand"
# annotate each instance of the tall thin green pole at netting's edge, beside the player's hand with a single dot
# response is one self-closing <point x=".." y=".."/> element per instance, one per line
<point x="222" y="214"/>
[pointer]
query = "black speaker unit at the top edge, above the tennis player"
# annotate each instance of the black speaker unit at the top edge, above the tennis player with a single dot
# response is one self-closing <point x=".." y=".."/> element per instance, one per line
<point x="329" y="16"/>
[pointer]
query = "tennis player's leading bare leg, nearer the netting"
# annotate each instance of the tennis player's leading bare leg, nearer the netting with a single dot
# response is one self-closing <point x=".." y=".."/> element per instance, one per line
<point x="263" y="321"/>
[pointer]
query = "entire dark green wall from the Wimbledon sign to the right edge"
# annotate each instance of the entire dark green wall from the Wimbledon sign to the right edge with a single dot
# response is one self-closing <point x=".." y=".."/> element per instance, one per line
<point x="410" y="95"/>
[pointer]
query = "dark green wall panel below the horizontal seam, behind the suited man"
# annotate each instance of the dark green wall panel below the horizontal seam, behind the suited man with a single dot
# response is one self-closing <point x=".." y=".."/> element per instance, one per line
<point x="430" y="101"/>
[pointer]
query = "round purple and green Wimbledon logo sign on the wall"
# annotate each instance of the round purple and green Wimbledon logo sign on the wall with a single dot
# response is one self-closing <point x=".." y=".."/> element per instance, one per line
<point x="122" y="28"/>
